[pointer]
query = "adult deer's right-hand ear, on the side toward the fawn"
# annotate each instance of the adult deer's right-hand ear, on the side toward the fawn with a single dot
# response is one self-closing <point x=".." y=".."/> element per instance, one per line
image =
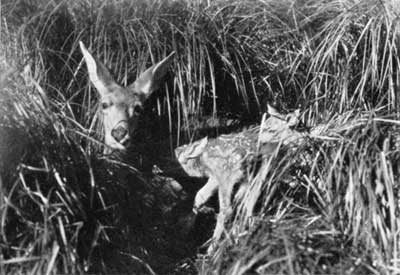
<point x="150" y="80"/>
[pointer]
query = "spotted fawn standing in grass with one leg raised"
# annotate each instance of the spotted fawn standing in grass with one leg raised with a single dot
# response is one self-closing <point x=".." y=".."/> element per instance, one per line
<point x="225" y="159"/>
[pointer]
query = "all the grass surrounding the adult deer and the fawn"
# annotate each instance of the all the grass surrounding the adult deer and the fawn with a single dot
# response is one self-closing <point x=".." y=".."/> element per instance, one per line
<point x="329" y="207"/>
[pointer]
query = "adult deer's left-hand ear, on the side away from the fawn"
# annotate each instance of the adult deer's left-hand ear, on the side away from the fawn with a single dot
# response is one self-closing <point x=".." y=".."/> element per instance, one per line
<point x="98" y="73"/>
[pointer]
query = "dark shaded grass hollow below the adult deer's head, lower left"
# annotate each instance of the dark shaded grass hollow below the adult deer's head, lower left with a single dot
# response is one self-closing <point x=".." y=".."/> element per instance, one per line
<point x="104" y="216"/>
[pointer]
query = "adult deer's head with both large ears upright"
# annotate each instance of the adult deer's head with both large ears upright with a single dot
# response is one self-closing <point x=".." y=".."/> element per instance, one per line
<point x="122" y="106"/>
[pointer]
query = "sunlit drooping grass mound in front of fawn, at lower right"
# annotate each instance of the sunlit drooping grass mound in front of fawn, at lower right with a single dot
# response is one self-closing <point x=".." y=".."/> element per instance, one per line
<point x="338" y="191"/>
